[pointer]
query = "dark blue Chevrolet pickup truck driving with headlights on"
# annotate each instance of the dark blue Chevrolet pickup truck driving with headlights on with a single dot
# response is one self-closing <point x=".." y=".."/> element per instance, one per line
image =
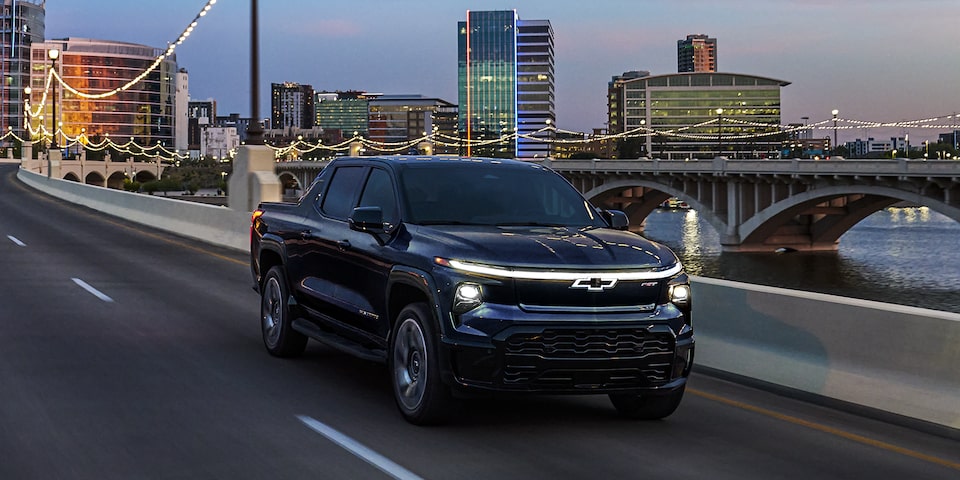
<point x="473" y="275"/>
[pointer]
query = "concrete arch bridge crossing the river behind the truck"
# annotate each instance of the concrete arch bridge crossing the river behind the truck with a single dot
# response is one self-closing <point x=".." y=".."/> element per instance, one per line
<point x="755" y="205"/>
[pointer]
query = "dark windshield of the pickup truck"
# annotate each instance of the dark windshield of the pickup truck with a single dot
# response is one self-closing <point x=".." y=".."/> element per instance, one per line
<point x="492" y="194"/>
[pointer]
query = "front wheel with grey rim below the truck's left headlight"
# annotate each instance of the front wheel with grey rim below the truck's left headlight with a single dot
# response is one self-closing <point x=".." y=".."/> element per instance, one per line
<point x="413" y="362"/>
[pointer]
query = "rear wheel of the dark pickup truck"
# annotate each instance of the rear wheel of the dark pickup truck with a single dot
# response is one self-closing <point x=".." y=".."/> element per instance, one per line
<point x="279" y="336"/>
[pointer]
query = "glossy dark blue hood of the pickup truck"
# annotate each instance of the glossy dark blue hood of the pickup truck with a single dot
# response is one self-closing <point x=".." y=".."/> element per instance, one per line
<point x="546" y="247"/>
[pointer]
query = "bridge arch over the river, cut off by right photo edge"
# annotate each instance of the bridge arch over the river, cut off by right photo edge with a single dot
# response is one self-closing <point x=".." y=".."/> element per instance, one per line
<point x="816" y="219"/>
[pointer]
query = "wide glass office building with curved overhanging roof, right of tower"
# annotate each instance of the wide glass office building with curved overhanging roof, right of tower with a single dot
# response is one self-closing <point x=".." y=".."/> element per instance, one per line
<point x="676" y="115"/>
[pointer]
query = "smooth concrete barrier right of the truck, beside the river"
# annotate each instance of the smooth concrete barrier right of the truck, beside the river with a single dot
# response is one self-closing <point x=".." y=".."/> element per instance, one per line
<point x="892" y="358"/>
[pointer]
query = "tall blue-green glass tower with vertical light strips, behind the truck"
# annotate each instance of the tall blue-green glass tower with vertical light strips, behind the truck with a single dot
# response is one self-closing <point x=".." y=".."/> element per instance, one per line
<point x="506" y="84"/>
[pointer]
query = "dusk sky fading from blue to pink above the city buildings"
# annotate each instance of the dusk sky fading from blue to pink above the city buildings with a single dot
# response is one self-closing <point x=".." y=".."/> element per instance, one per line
<point x="874" y="60"/>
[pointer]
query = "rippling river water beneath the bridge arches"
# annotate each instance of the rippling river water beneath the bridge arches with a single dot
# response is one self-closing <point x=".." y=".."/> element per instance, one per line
<point x="906" y="256"/>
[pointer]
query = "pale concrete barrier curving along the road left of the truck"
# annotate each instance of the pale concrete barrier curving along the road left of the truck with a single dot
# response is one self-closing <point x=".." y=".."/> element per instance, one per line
<point x="208" y="223"/>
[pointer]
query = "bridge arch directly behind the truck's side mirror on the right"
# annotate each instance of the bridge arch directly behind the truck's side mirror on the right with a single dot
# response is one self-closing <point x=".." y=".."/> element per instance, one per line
<point x="638" y="197"/>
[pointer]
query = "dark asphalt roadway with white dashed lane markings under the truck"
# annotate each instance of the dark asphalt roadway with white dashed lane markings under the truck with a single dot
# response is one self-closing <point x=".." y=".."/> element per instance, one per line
<point x="130" y="353"/>
